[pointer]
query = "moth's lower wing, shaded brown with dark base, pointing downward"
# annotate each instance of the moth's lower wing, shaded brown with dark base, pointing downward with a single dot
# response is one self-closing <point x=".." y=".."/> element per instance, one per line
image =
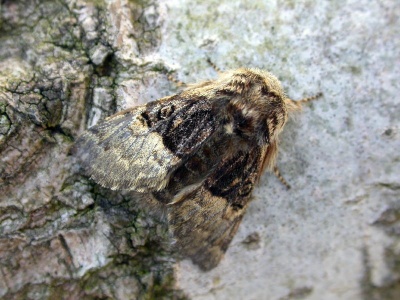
<point x="204" y="218"/>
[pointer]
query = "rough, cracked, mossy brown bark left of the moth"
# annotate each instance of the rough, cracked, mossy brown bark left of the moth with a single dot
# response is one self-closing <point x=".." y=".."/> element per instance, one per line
<point x="62" y="236"/>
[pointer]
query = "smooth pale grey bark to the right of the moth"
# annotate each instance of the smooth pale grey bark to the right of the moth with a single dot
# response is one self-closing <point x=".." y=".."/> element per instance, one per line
<point x="335" y="233"/>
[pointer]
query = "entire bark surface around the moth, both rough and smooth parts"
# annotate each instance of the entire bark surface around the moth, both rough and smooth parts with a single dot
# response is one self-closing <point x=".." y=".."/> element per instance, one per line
<point x="64" y="65"/>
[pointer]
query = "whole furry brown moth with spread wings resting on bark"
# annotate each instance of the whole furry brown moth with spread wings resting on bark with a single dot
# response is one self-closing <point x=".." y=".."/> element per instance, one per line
<point x="199" y="153"/>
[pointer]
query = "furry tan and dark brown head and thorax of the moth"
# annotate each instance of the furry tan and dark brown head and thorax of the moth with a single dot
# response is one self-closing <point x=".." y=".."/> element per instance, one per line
<point x="256" y="110"/>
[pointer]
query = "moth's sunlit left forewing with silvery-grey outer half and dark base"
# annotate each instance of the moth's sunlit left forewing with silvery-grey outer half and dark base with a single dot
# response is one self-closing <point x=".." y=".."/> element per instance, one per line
<point x="138" y="149"/>
